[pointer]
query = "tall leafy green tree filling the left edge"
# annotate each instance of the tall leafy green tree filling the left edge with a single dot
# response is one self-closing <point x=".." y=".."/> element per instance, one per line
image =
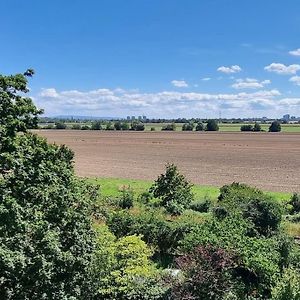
<point x="46" y="238"/>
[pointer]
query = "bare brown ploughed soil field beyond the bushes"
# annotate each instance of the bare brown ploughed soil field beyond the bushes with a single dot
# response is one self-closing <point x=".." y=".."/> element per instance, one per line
<point x="270" y="161"/>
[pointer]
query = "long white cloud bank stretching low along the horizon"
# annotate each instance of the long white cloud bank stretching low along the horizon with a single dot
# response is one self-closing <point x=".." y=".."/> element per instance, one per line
<point x="120" y="102"/>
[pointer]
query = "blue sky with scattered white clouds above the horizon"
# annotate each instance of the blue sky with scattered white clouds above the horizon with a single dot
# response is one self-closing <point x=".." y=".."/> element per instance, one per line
<point x="159" y="58"/>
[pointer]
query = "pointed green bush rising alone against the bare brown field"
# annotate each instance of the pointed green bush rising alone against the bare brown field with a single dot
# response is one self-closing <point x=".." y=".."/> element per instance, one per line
<point x="174" y="191"/>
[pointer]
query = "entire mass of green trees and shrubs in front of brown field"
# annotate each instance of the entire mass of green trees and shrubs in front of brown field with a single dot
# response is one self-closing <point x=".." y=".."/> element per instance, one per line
<point x="62" y="238"/>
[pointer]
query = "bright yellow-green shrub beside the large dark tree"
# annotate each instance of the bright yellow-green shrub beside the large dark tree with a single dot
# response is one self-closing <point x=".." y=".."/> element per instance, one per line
<point x="123" y="270"/>
